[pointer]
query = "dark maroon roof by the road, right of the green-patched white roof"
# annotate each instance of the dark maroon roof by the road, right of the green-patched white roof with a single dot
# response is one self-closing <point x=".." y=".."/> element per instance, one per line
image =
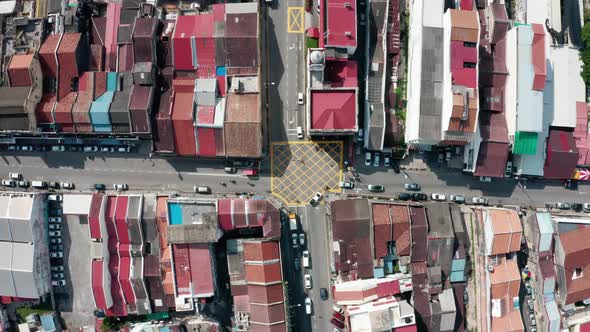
<point x="562" y="154"/>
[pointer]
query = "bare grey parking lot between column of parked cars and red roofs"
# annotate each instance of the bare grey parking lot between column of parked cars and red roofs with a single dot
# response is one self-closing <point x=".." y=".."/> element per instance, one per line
<point x="75" y="300"/>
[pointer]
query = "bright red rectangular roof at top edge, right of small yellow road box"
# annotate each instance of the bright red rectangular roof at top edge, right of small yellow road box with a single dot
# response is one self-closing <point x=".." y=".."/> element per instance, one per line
<point x="341" y="23"/>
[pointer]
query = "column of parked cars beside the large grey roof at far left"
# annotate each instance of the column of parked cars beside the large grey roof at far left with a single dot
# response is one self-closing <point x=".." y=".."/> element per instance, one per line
<point x="56" y="247"/>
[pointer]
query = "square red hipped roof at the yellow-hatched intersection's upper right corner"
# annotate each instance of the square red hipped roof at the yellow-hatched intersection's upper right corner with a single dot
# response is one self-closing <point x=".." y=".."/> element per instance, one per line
<point x="333" y="109"/>
